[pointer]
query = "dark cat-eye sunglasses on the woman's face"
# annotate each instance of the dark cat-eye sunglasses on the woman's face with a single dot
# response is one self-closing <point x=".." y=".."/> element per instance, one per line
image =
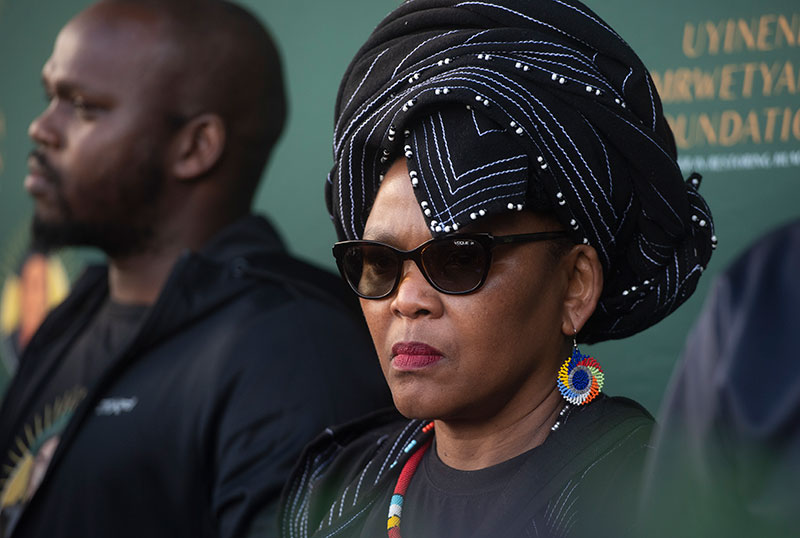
<point x="454" y="264"/>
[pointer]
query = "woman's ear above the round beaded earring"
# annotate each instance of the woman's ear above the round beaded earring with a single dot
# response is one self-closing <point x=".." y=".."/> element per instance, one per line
<point x="583" y="288"/>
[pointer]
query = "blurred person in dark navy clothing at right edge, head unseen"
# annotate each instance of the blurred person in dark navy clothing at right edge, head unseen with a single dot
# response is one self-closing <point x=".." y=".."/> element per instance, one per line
<point x="727" y="451"/>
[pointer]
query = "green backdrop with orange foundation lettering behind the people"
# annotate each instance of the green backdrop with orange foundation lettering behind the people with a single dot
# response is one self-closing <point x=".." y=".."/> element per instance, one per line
<point x="729" y="72"/>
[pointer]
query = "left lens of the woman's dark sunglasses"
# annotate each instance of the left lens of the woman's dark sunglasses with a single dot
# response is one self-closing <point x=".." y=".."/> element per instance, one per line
<point x="371" y="270"/>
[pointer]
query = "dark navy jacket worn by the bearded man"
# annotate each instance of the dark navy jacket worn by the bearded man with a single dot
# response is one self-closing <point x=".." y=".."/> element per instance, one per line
<point x="246" y="355"/>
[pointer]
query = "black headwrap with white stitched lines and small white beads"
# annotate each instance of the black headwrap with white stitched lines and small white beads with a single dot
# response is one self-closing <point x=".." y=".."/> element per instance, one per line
<point x="513" y="104"/>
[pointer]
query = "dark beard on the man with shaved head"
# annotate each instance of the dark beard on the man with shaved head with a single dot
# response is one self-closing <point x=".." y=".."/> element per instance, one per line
<point x="117" y="238"/>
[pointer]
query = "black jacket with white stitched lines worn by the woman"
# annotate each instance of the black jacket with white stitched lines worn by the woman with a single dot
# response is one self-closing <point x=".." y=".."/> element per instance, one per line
<point x="588" y="471"/>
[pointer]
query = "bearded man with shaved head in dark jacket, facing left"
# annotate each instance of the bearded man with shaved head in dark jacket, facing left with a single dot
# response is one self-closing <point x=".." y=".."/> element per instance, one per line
<point x="170" y="394"/>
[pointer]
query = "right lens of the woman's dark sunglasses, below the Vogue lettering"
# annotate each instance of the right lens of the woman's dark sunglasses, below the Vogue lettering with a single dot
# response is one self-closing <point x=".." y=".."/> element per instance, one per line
<point x="456" y="265"/>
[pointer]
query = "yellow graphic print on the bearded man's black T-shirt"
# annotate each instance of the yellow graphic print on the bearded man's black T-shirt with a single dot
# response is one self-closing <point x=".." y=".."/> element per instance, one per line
<point x="32" y="451"/>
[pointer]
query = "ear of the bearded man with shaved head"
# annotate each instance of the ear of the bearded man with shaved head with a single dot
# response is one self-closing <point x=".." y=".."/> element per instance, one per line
<point x="197" y="147"/>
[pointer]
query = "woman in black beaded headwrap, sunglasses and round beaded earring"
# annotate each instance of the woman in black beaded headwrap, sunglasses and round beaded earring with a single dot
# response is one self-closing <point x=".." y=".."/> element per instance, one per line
<point x="506" y="186"/>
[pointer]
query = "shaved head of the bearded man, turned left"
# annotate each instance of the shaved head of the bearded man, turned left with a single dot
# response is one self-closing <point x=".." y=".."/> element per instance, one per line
<point x="161" y="116"/>
